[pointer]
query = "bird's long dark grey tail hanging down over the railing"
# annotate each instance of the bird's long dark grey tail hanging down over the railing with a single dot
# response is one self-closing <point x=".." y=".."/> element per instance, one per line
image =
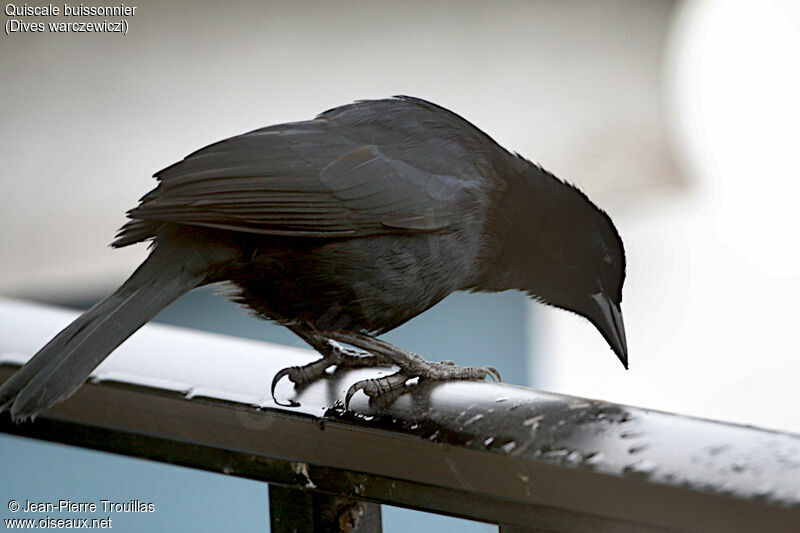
<point x="65" y="362"/>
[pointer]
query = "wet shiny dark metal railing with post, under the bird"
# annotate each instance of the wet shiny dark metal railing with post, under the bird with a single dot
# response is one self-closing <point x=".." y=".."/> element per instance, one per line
<point x="520" y="458"/>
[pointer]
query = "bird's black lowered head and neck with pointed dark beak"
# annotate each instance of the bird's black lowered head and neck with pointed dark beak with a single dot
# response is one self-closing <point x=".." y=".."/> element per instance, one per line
<point x="564" y="251"/>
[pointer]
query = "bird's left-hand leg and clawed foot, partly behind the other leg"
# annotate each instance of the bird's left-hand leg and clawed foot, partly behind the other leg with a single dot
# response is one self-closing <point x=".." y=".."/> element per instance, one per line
<point x="333" y="354"/>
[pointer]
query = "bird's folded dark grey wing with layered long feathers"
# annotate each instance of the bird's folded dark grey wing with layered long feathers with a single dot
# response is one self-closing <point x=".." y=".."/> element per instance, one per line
<point x="304" y="180"/>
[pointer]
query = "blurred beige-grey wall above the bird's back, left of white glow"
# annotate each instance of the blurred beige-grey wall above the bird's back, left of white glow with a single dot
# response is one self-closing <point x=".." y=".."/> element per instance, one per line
<point x="88" y="118"/>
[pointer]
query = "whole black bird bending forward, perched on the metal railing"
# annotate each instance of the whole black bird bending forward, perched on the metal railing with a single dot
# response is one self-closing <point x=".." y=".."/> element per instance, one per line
<point x="344" y="227"/>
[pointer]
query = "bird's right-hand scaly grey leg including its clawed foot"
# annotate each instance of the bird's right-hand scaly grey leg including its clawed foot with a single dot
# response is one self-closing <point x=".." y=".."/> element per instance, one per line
<point x="411" y="366"/>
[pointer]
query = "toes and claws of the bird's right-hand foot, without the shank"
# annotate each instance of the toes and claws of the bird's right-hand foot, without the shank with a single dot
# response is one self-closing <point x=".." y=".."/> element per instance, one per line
<point x="395" y="383"/>
